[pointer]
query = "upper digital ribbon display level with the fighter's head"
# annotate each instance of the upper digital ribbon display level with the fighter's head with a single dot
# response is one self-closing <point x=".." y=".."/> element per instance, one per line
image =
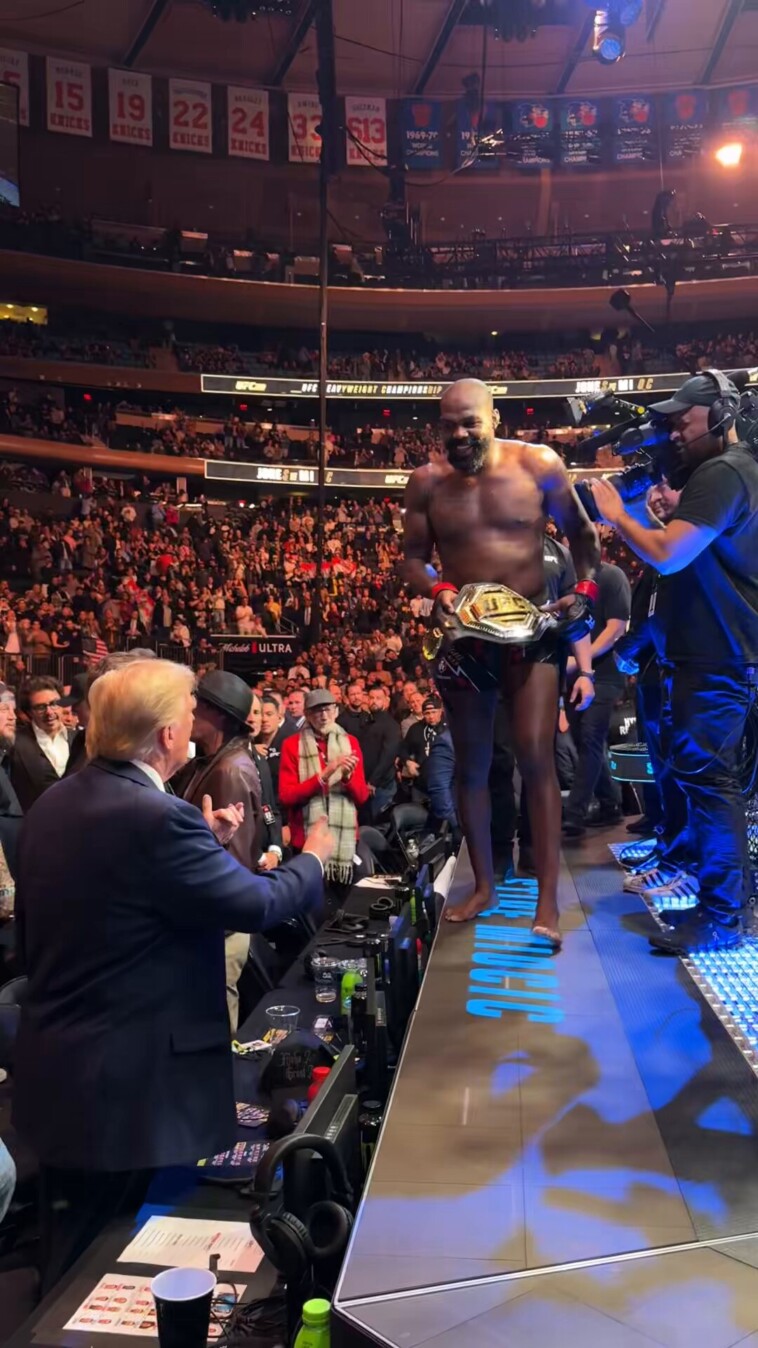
<point x="293" y="388"/>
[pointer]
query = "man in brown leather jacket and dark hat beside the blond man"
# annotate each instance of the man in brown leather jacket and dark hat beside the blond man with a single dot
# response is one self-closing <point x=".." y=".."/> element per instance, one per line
<point x="225" y="770"/>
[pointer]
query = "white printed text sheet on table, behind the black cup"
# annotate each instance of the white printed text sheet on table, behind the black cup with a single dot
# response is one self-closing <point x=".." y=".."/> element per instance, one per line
<point x="189" y="1242"/>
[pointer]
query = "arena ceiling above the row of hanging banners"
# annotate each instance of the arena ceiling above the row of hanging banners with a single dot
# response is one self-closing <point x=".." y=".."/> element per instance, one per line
<point x="397" y="48"/>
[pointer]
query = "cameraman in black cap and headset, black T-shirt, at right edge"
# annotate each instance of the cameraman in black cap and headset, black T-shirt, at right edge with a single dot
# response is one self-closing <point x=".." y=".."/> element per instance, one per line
<point x="706" y="626"/>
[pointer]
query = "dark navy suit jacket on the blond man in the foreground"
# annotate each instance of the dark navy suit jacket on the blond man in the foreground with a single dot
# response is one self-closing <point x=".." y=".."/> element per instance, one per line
<point x="123" y="1056"/>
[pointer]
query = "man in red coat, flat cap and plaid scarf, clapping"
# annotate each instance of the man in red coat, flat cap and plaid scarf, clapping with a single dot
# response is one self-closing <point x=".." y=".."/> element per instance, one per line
<point x="322" y="773"/>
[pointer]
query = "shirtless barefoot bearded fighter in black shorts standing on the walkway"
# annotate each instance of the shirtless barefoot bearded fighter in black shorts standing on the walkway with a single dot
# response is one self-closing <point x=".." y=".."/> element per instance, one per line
<point x="485" y="509"/>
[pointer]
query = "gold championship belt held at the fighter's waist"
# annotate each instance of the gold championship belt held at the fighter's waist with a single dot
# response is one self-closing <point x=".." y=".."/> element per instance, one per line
<point x="492" y="613"/>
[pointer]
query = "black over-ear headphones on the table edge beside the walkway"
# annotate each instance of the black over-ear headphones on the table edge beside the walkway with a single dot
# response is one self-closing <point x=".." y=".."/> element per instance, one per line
<point x="295" y="1246"/>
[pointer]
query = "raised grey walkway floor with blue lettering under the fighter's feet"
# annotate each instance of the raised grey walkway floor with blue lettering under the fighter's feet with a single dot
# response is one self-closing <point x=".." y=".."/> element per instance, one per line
<point x="570" y="1157"/>
